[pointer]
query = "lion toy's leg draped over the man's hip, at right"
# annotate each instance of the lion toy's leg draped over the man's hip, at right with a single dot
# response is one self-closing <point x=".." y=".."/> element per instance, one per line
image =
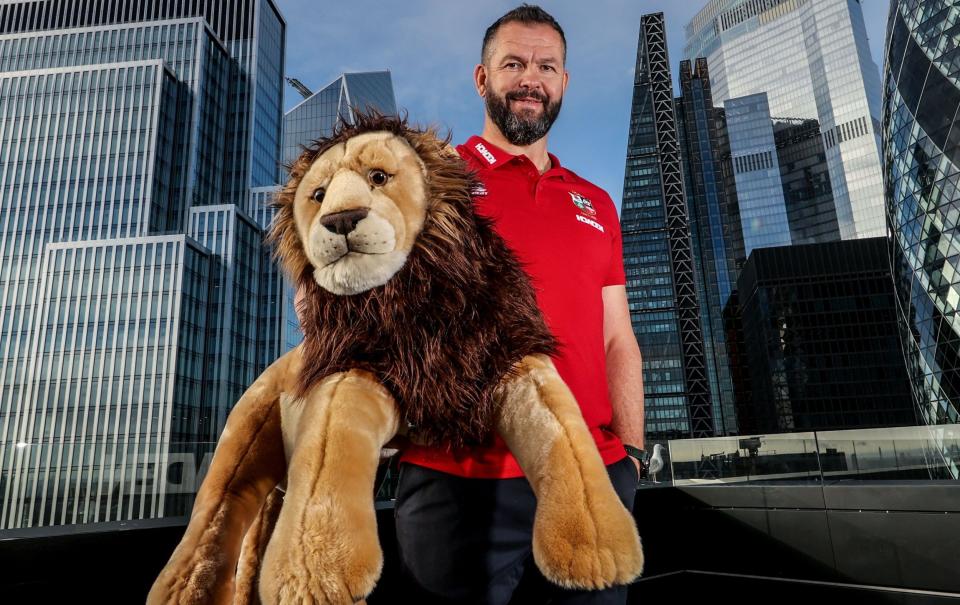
<point x="583" y="536"/>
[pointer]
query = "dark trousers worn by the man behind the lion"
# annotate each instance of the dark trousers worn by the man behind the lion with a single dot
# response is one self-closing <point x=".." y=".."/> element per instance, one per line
<point x="469" y="540"/>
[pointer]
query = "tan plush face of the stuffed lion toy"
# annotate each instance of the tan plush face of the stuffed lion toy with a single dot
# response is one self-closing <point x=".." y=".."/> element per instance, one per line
<point x="358" y="211"/>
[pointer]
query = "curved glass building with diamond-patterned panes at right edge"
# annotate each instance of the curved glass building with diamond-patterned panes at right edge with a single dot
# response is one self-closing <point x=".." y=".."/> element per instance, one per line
<point x="921" y="154"/>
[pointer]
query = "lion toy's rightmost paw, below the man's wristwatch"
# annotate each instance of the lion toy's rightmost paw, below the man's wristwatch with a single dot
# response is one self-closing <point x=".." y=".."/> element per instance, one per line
<point x="587" y="545"/>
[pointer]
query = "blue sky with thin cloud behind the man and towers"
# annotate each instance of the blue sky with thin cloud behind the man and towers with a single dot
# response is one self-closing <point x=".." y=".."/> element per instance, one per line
<point x="432" y="46"/>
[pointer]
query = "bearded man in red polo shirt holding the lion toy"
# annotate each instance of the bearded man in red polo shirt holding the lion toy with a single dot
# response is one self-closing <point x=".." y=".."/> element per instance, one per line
<point x="464" y="518"/>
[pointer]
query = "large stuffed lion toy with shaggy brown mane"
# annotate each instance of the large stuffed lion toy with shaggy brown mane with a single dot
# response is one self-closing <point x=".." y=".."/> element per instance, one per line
<point x="417" y="318"/>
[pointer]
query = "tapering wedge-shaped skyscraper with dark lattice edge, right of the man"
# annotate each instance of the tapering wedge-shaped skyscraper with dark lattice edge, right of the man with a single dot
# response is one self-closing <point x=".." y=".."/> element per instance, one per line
<point x="658" y="255"/>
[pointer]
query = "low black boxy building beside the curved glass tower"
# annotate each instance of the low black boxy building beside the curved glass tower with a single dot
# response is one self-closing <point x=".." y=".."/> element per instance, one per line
<point x="819" y="340"/>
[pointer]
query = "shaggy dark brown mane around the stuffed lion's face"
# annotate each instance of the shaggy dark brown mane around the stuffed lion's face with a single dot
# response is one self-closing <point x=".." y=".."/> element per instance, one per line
<point x="442" y="332"/>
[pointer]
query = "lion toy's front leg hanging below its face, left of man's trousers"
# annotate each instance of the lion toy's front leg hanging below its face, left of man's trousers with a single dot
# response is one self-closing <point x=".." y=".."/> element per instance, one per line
<point x="325" y="547"/>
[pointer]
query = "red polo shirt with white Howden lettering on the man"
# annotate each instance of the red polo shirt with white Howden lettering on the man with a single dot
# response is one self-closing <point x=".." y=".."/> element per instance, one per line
<point x="566" y="232"/>
